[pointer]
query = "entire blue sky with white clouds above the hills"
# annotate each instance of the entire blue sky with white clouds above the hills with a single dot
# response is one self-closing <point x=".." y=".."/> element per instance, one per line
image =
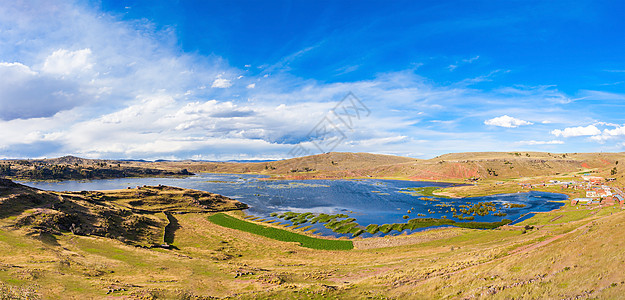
<point x="239" y="80"/>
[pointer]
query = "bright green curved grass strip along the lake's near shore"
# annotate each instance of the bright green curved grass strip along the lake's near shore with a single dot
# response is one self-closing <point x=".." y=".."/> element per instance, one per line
<point x="279" y="234"/>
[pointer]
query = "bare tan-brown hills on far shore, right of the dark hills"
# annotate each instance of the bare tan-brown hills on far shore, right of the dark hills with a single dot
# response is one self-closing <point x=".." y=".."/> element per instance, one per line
<point x="454" y="167"/>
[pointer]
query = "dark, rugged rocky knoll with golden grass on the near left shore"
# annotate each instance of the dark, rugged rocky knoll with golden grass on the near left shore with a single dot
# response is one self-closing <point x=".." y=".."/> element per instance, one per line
<point x="136" y="216"/>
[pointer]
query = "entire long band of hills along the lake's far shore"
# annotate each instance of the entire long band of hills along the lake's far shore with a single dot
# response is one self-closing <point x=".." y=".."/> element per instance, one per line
<point x="457" y="167"/>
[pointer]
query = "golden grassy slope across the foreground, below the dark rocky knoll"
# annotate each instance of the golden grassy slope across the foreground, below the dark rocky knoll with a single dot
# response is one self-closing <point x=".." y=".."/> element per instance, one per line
<point x="216" y="261"/>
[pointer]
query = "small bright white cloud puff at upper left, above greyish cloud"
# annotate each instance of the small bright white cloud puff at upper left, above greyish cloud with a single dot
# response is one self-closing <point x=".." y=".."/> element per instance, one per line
<point x="66" y="62"/>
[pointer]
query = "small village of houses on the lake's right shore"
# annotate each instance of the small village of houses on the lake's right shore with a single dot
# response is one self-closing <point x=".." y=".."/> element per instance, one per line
<point x="597" y="190"/>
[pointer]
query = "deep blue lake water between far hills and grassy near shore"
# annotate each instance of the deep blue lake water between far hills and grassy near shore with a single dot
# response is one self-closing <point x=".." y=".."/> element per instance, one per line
<point x="370" y="201"/>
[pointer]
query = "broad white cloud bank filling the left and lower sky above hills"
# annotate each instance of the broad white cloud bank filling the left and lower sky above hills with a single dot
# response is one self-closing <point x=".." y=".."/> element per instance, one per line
<point x="79" y="81"/>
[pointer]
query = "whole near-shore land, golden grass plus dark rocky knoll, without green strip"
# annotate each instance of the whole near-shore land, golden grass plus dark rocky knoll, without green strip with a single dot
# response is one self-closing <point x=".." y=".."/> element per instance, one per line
<point x="571" y="253"/>
